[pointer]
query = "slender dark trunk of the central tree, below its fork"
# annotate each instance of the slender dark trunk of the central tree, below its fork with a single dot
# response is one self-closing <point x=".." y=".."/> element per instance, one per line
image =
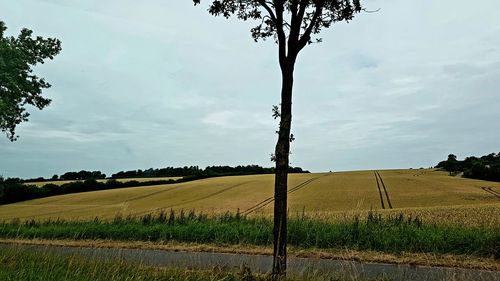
<point x="281" y="173"/>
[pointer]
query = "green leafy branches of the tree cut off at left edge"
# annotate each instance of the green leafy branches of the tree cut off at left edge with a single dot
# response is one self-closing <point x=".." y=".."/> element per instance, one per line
<point x="18" y="85"/>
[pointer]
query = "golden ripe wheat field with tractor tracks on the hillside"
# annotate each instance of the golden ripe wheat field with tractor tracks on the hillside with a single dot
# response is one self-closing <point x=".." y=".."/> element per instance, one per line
<point x="427" y="193"/>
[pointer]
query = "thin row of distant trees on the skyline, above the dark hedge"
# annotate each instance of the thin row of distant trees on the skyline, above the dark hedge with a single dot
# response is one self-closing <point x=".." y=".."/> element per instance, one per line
<point x="186" y="171"/>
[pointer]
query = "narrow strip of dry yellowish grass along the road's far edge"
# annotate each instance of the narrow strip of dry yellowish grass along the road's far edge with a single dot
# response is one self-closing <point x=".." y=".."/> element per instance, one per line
<point x="458" y="261"/>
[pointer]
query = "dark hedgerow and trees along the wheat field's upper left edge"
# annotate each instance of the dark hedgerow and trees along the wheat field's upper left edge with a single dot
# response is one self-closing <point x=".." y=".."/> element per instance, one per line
<point x="16" y="190"/>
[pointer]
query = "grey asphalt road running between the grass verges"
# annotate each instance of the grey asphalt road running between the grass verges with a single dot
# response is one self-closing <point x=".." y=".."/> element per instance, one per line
<point x="262" y="264"/>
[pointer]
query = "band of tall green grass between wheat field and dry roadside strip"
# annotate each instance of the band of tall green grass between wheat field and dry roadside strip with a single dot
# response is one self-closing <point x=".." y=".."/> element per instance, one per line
<point x="391" y="234"/>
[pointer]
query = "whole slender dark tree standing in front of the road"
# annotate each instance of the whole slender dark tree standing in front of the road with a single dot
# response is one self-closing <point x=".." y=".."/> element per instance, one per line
<point x="292" y="24"/>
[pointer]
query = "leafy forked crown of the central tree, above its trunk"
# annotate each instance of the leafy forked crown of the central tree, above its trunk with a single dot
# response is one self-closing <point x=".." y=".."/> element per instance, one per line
<point x="289" y="22"/>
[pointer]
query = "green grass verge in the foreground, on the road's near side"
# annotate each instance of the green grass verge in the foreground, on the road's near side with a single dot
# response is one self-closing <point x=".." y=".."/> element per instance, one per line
<point x="38" y="266"/>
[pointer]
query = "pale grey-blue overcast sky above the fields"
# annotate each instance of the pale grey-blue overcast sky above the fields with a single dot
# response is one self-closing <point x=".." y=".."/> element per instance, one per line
<point x="161" y="83"/>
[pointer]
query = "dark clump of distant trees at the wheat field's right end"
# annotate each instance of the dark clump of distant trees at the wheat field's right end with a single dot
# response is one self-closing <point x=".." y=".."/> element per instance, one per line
<point x="484" y="168"/>
